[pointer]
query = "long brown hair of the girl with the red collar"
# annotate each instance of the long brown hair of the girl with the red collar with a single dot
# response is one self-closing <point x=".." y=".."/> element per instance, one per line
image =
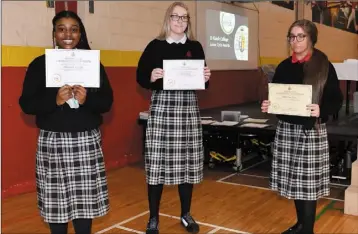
<point x="316" y="68"/>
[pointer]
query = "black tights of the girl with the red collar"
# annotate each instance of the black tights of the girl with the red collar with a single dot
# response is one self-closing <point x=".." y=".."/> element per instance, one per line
<point x="306" y="215"/>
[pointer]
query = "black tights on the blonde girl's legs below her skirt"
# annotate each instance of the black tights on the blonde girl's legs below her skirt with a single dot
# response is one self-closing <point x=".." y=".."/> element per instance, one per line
<point x="155" y="194"/>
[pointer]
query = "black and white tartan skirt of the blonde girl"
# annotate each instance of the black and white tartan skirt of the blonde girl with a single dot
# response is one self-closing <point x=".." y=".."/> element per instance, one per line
<point x="174" y="152"/>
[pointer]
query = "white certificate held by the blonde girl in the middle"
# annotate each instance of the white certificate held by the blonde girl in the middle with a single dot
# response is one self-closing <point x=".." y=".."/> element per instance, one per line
<point x="183" y="75"/>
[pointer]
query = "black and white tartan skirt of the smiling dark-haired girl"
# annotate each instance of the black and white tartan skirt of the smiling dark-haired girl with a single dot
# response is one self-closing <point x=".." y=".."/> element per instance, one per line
<point x="70" y="176"/>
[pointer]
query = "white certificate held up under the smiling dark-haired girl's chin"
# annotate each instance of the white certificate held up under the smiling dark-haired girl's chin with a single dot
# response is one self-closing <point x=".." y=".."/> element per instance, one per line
<point x="72" y="67"/>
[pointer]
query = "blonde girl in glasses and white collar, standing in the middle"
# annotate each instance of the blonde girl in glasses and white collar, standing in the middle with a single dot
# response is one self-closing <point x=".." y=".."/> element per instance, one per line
<point x="174" y="147"/>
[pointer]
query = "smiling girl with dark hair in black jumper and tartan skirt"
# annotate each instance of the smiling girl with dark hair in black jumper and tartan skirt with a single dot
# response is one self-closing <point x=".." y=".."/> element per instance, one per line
<point x="70" y="170"/>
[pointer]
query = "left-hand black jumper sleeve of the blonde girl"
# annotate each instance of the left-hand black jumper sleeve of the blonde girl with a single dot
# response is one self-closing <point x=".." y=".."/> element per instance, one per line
<point x="146" y="66"/>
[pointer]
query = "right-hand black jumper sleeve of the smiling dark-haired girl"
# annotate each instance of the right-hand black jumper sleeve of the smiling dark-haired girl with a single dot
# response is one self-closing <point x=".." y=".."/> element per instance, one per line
<point x="100" y="100"/>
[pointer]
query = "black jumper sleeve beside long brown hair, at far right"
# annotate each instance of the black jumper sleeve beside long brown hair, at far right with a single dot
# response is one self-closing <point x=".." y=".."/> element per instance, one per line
<point x="332" y="97"/>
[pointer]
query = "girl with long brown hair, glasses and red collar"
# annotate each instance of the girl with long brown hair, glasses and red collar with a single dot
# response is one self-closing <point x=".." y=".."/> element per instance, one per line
<point x="300" y="167"/>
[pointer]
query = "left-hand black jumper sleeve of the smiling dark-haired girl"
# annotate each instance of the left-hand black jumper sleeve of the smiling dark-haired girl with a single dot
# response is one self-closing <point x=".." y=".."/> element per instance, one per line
<point x="36" y="99"/>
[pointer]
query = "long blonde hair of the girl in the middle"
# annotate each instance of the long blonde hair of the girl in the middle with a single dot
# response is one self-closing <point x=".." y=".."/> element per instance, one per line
<point x="165" y="31"/>
